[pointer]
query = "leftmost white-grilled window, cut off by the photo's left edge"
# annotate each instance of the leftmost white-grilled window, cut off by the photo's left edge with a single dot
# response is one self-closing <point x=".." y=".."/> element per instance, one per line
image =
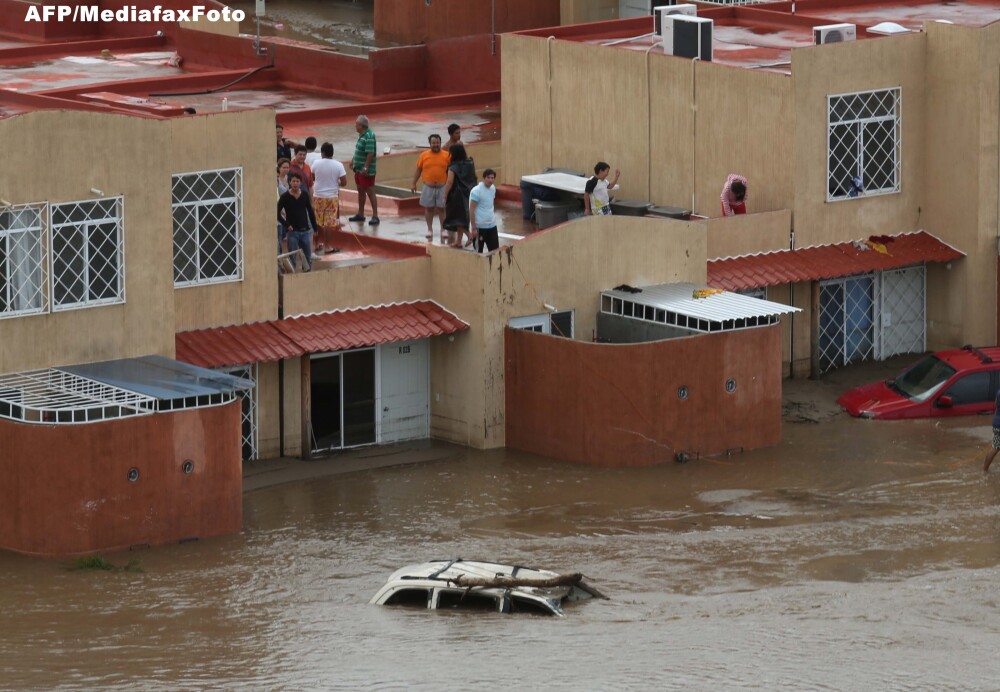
<point x="22" y="260"/>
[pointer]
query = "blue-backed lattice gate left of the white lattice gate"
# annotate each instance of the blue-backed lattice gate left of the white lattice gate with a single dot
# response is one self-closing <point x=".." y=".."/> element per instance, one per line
<point x="847" y="321"/>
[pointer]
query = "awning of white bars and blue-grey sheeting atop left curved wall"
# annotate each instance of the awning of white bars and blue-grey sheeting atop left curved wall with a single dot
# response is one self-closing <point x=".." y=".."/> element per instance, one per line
<point x="112" y="389"/>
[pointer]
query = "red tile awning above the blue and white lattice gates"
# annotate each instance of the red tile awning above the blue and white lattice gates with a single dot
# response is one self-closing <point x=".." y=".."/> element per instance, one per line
<point x="829" y="261"/>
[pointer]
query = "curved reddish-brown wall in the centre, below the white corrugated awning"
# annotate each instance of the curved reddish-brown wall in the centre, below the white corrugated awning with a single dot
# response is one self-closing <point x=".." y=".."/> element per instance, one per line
<point x="617" y="404"/>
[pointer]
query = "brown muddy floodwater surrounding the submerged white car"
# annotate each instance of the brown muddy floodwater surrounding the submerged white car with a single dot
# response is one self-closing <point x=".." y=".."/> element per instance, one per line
<point x="857" y="555"/>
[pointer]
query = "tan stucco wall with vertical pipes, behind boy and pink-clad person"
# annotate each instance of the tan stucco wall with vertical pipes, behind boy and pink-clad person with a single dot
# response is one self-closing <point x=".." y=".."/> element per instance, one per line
<point x="675" y="128"/>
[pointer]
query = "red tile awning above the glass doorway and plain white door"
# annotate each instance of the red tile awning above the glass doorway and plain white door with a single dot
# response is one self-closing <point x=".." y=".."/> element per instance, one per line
<point x="329" y="331"/>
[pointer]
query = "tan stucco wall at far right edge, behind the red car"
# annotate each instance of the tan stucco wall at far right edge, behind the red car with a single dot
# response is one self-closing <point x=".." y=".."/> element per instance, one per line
<point x="960" y="204"/>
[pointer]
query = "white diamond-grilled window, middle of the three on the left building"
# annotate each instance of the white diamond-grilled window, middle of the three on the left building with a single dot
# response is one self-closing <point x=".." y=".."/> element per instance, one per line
<point x="88" y="266"/>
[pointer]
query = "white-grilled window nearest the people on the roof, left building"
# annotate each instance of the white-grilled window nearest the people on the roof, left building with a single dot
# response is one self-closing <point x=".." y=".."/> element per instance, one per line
<point x="207" y="211"/>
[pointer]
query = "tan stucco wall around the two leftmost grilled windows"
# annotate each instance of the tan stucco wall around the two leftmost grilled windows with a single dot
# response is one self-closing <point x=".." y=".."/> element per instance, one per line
<point x="73" y="164"/>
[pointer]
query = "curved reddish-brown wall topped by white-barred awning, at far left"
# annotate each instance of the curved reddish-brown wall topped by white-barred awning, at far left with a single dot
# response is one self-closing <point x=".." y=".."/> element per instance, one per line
<point x="65" y="488"/>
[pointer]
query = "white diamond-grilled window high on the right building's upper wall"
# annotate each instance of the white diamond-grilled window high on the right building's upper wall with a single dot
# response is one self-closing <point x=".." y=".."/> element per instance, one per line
<point x="864" y="143"/>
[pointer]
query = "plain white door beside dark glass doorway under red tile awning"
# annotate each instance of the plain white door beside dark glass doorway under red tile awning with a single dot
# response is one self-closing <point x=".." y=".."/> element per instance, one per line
<point x="405" y="386"/>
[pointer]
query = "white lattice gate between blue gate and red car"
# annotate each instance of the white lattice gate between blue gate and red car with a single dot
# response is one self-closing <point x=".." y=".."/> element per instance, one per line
<point x="902" y="311"/>
